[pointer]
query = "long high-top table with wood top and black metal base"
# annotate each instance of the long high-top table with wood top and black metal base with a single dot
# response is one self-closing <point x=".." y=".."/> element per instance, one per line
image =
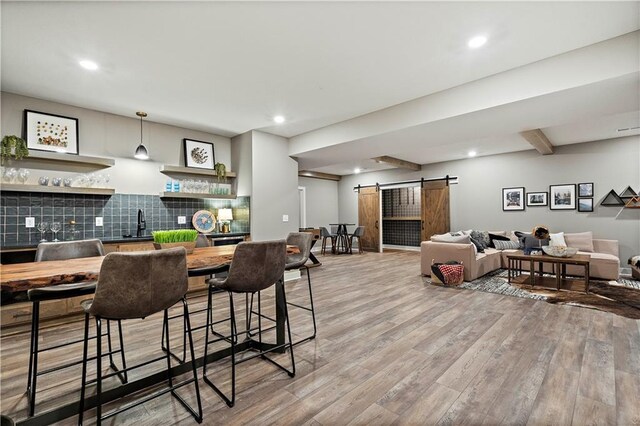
<point x="24" y="276"/>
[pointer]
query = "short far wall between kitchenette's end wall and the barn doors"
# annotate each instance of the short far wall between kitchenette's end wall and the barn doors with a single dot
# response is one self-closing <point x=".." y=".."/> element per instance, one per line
<point x="322" y="201"/>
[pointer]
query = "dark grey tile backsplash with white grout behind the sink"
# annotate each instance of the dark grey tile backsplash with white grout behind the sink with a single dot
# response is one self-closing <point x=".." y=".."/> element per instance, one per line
<point x="119" y="213"/>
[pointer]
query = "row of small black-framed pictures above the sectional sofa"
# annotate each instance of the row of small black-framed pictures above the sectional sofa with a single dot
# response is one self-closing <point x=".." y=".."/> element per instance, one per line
<point x="568" y="196"/>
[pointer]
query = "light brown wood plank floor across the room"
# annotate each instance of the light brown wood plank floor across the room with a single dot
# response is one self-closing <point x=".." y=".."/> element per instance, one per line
<point x="391" y="349"/>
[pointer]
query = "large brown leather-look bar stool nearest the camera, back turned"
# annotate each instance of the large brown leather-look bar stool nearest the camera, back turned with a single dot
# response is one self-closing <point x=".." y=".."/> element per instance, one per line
<point x="136" y="285"/>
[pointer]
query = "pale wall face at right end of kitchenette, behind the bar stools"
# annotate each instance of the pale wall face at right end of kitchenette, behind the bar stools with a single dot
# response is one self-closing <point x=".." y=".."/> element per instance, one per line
<point x="274" y="190"/>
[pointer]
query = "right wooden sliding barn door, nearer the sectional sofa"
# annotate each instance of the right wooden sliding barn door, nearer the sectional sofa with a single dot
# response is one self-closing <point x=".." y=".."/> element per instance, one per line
<point x="435" y="209"/>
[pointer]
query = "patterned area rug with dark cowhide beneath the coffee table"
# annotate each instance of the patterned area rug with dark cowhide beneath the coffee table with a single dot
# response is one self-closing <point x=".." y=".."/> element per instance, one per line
<point x="621" y="297"/>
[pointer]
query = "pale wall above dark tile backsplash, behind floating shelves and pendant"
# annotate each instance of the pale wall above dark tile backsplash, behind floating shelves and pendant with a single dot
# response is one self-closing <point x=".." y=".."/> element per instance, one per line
<point x="113" y="136"/>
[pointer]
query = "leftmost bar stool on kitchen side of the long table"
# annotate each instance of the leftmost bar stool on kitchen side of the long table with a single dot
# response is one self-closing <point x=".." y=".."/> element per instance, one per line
<point x="63" y="251"/>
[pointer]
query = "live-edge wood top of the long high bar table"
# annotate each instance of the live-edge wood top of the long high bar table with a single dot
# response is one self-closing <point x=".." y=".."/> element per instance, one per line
<point x="24" y="276"/>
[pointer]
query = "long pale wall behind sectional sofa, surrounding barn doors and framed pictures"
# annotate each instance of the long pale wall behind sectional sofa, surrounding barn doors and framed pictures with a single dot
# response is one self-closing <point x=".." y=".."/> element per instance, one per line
<point x="476" y="200"/>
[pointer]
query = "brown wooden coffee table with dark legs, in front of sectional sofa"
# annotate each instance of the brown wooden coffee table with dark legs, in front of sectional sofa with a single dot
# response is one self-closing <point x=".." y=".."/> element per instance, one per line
<point x="559" y="268"/>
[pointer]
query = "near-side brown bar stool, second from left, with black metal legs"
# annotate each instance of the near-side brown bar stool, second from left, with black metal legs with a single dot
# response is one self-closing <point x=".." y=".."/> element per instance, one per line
<point x="256" y="266"/>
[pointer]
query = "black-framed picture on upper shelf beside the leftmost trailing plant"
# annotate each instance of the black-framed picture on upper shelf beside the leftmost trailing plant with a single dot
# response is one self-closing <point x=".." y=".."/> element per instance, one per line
<point x="51" y="132"/>
